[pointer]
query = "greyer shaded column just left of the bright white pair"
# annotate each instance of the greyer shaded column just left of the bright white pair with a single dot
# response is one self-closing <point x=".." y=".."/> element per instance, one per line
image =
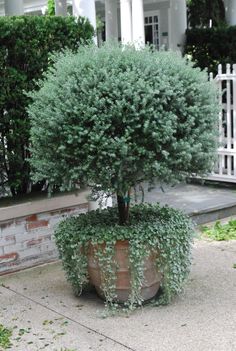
<point x="111" y="19"/>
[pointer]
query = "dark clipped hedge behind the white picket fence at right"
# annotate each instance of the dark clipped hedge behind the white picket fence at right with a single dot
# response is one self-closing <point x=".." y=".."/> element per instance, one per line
<point x="212" y="46"/>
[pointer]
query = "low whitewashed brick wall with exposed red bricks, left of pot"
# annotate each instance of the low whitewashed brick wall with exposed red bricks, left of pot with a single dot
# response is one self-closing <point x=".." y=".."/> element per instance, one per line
<point x="28" y="240"/>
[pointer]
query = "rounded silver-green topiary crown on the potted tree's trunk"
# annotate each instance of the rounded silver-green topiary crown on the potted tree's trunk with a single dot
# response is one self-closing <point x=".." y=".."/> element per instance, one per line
<point x="115" y="116"/>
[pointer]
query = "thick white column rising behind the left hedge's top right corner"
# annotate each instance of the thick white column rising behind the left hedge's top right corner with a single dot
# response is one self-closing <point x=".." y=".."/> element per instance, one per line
<point x="85" y="8"/>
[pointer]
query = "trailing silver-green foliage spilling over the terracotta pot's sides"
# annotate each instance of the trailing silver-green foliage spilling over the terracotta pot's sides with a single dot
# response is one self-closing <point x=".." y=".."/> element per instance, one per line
<point x="152" y="229"/>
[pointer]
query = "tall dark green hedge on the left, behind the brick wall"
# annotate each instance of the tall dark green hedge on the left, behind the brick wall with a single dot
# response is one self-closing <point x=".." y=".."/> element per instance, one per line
<point x="25" y="45"/>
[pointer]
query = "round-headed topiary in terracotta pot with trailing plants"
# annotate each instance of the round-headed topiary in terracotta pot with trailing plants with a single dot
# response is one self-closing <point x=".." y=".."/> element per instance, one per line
<point x="117" y="117"/>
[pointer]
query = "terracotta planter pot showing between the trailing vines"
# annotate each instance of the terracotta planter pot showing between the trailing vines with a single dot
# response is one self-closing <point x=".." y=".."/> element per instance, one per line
<point x="152" y="277"/>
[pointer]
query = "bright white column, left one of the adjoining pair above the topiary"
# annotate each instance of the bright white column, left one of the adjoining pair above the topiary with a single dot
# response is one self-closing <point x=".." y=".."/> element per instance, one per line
<point x="126" y="21"/>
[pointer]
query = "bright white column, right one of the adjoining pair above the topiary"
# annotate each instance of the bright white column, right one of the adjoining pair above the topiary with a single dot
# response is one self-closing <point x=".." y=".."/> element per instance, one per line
<point x="138" y="23"/>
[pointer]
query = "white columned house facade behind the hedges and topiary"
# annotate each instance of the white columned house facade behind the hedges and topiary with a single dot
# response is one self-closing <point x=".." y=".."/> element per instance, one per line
<point x="159" y="22"/>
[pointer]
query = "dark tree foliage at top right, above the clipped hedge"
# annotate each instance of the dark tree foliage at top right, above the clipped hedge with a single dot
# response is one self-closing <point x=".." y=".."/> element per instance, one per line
<point x="201" y="11"/>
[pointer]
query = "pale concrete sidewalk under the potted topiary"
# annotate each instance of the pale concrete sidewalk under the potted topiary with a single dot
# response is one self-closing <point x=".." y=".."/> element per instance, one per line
<point x="40" y="306"/>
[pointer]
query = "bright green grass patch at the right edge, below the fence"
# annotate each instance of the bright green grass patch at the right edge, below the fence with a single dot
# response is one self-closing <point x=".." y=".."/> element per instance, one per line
<point x="221" y="232"/>
